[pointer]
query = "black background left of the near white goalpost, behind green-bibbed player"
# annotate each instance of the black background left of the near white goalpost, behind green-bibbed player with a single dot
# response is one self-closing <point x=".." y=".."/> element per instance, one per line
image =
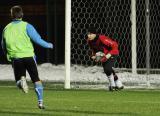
<point x="48" y="18"/>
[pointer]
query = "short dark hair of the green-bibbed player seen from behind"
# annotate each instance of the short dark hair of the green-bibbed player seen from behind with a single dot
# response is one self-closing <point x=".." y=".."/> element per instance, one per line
<point x="16" y="12"/>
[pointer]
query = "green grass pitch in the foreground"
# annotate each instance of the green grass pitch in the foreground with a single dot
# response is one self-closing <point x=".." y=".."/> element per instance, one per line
<point x="59" y="102"/>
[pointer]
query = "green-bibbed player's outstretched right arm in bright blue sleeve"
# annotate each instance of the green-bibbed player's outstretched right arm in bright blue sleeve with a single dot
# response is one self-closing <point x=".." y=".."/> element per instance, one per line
<point x="33" y="34"/>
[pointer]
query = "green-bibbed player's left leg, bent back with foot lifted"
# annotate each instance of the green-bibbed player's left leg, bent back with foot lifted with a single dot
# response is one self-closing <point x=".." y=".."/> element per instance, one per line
<point x="20" y="74"/>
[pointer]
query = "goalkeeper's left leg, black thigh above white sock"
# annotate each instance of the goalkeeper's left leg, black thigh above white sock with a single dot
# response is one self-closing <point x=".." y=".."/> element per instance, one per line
<point x="107" y="66"/>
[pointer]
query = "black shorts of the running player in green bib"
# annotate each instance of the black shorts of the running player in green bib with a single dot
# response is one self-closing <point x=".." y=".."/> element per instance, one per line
<point x="21" y="65"/>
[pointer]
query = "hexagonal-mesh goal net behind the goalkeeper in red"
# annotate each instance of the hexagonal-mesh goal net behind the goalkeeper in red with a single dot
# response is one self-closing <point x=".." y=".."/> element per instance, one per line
<point x="114" y="19"/>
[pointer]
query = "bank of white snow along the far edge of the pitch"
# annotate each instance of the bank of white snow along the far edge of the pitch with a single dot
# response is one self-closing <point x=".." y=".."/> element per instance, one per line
<point x="94" y="74"/>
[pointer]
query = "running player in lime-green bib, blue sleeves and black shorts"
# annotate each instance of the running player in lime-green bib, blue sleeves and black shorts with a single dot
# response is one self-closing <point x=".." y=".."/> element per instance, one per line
<point x="17" y="40"/>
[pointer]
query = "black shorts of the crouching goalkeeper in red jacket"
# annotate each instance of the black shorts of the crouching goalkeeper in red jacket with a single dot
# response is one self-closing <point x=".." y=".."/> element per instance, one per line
<point x="108" y="65"/>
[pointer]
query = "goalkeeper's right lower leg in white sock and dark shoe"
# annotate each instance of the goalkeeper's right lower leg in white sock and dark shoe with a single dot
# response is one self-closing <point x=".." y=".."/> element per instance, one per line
<point x="118" y="83"/>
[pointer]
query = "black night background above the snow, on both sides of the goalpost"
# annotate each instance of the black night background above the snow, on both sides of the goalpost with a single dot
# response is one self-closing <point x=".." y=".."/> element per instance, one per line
<point x="48" y="17"/>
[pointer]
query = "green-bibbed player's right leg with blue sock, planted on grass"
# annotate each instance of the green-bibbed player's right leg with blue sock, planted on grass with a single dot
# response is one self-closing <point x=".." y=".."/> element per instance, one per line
<point x="33" y="72"/>
